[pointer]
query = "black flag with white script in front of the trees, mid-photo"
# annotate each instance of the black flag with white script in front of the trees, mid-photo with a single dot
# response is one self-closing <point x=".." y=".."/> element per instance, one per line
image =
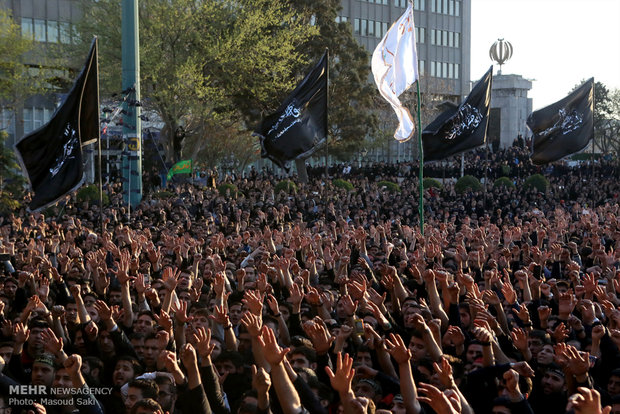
<point x="299" y="126"/>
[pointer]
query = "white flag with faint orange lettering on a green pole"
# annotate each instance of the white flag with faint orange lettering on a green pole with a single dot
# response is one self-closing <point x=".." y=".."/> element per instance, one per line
<point x="395" y="68"/>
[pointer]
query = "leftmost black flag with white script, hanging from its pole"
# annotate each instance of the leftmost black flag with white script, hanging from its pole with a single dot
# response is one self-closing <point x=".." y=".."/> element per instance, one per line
<point x="51" y="156"/>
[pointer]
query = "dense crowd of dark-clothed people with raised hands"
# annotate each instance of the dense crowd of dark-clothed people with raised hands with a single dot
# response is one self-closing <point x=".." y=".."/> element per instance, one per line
<point x="320" y="301"/>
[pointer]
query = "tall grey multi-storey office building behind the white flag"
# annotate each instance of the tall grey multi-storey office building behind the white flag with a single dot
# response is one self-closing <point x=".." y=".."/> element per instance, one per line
<point x="443" y="31"/>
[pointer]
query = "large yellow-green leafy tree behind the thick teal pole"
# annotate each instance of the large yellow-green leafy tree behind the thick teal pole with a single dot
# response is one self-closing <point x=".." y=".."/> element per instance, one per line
<point x="205" y="65"/>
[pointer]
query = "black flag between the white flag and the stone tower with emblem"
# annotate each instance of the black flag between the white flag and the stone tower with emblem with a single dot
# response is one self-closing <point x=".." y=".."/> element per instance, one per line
<point x="460" y="128"/>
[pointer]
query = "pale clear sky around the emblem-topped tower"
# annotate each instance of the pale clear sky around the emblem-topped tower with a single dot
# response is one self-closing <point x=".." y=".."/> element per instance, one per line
<point x="556" y="43"/>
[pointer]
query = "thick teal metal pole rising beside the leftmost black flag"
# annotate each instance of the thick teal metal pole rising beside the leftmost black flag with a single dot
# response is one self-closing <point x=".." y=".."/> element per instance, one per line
<point x="132" y="128"/>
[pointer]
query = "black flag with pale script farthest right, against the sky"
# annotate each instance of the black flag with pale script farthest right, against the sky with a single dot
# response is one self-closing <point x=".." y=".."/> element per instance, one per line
<point x="564" y="127"/>
